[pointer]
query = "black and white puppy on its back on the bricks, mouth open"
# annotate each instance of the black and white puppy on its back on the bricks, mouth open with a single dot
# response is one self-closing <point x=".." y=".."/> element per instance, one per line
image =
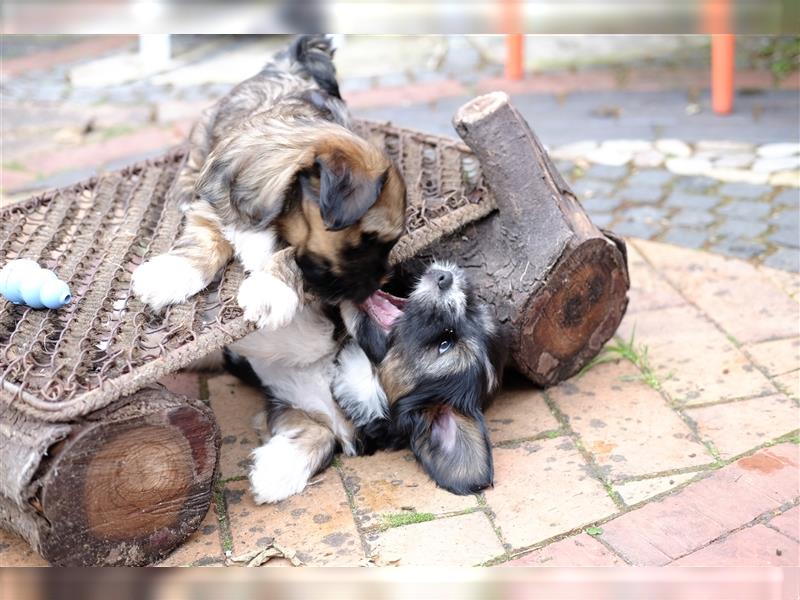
<point x="416" y="372"/>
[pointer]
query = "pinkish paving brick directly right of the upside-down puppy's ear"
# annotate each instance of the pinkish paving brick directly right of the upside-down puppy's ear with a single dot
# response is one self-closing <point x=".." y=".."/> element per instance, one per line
<point x="519" y="411"/>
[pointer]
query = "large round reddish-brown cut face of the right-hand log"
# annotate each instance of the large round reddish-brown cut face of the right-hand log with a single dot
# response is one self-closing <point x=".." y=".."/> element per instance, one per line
<point x="582" y="305"/>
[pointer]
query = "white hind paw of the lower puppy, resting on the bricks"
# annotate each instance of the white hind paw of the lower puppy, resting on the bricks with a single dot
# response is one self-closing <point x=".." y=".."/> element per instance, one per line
<point x="280" y="469"/>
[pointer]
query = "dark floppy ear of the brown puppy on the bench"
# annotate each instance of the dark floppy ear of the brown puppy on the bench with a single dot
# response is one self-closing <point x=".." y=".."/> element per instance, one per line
<point x="344" y="196"/>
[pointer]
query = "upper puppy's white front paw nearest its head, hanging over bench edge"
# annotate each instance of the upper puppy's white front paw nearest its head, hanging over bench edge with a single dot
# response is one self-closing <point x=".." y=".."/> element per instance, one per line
<point x="267" y="301"/>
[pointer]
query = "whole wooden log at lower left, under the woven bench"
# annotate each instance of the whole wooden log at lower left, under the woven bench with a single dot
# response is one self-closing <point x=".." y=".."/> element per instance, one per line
<point x="123" y="487"/>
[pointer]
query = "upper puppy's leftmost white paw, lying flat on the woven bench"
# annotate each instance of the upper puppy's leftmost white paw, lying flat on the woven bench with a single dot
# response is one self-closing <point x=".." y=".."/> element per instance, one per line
<point x="166" y="279"/>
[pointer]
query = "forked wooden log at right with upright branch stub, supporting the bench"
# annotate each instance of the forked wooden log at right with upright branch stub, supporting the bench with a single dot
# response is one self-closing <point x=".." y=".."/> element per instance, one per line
<point x="558" y="283"/>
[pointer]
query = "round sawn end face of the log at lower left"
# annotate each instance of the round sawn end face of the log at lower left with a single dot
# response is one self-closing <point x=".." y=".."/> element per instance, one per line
<point x="131" y="486"/>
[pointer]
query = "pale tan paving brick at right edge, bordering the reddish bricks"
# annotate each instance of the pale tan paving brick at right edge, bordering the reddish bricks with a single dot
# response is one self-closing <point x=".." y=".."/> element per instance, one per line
<point x="766" y="418"/>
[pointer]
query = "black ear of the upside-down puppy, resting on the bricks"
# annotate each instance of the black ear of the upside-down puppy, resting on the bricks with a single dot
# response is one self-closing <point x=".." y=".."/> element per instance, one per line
<point x="454" y="449"/>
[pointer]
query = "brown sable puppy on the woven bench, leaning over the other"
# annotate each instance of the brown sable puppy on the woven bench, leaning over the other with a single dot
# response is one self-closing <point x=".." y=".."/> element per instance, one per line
<point x="273" y="164"/>
